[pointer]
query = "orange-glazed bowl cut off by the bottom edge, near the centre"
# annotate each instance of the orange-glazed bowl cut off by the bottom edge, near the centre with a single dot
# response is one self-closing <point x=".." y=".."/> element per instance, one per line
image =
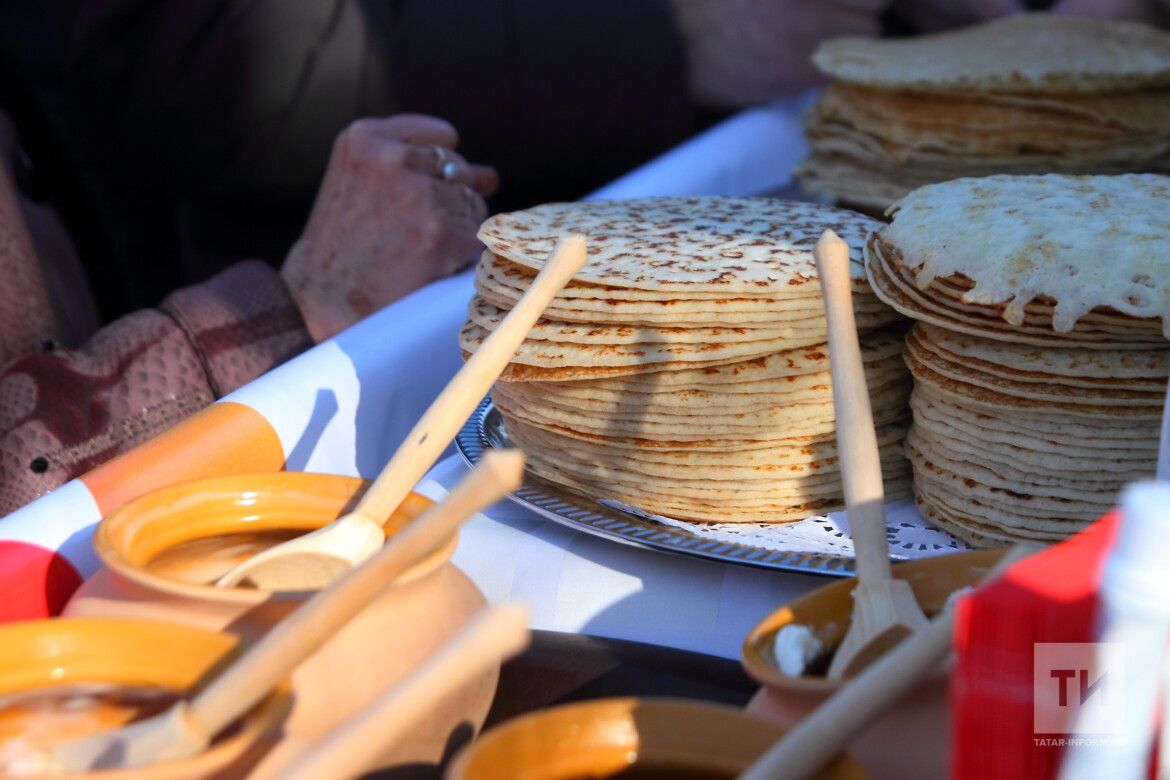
<point x="656" y="738"/>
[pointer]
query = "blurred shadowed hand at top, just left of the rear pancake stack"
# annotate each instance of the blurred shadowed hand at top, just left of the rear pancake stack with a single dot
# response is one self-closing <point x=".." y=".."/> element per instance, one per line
<point x="749" y="52"/>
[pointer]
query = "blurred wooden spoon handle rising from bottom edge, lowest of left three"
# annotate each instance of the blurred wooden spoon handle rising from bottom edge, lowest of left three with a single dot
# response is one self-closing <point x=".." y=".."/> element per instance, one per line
<point x="356" y="747"/>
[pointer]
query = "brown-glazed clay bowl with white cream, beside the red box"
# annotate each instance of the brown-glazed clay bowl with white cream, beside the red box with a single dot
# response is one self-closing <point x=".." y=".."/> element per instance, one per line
<point x="923" y="719"/>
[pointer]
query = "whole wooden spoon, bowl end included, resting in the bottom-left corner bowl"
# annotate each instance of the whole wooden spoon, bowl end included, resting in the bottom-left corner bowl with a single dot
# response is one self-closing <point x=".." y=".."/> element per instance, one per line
<point x="189" y="727"/>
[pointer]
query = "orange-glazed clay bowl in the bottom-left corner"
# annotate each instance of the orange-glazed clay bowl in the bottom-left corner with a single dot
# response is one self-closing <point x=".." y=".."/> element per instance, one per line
<point x="57" y="655"/>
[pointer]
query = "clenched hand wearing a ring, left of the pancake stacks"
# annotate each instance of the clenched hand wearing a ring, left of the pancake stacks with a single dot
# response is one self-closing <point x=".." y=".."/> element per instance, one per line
<point x="398" y="209"/>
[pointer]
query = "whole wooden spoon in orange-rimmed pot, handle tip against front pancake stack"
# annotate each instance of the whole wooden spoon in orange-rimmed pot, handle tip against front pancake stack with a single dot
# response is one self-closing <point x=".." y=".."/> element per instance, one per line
<point x="319" y="558"/>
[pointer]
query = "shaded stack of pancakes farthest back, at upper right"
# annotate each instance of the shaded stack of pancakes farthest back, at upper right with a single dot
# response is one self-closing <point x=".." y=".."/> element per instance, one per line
<point x="1027" y="94"/>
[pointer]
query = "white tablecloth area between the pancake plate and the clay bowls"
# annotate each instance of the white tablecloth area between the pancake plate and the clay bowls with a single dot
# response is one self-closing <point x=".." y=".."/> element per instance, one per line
<point x="579" y="583"/>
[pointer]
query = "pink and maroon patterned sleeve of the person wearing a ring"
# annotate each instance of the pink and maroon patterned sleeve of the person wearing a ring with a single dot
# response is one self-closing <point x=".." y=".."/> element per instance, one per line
<point x="64" y="412"/>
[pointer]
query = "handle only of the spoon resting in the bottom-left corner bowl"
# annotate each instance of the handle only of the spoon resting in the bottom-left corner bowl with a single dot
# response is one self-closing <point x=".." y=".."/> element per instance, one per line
<point x="319" y="619"/>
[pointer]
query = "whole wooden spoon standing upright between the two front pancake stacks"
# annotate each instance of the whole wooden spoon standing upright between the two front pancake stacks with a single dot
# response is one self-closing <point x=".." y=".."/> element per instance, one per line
<point x="885" y="611"/>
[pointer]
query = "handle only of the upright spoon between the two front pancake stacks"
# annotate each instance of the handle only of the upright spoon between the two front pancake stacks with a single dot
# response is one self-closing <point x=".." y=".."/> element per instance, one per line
<point x="857" y="444"/>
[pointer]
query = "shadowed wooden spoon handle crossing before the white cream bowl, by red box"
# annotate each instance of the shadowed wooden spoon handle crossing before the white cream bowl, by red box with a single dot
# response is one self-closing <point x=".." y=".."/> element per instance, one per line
<point x="828" y="730"/>
